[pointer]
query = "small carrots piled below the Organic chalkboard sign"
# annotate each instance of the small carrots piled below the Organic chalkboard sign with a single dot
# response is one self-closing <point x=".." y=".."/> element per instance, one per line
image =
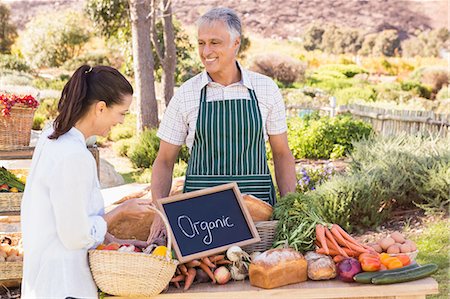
<point x="202" y="269"/>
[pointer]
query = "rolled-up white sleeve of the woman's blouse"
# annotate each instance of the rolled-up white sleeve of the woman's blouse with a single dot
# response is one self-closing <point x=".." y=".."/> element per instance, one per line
<point x="73" y="183"/>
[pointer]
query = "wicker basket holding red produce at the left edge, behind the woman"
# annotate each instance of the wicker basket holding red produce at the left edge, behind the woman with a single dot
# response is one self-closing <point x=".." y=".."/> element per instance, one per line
<point x="15" y="130"/>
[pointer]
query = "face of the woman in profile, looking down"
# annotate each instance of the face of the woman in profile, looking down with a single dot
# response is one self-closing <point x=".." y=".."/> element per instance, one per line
<point x="112" y="115"/>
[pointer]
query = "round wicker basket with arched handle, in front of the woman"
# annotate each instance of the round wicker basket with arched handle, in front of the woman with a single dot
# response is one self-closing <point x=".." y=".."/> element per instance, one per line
<point x="132" y="274"/>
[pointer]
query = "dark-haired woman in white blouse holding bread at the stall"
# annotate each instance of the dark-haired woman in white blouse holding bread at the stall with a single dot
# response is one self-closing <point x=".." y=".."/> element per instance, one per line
<point x="62" y="208"/>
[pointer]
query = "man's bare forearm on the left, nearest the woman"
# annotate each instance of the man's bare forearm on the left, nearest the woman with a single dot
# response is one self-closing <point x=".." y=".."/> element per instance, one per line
<point x="161" y="180"/>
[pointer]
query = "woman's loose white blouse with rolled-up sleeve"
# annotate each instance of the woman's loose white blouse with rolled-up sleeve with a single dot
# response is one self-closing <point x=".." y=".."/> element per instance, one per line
<point x="61" y="217"/>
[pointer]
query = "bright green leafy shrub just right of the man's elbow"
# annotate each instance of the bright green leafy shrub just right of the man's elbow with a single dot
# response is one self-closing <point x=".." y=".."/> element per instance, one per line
<point x="324" y="137"/>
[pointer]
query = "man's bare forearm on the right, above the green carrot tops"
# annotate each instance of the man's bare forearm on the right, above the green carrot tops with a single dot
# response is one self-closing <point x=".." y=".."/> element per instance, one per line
<point x="285" y="173"/>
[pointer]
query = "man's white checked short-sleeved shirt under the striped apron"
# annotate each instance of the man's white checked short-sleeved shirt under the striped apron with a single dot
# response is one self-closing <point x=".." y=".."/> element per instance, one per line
<point x="180" y="118"/>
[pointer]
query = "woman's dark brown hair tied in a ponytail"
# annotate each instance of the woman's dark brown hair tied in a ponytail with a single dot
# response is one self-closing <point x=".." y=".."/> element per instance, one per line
<point x="87" y="86"/>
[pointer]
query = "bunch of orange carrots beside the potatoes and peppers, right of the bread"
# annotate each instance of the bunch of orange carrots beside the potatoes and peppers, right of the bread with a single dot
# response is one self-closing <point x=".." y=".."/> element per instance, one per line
<point x="338" y="243"/>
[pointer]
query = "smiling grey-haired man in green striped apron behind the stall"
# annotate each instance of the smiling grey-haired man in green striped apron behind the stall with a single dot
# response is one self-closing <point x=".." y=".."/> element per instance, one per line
<point x="224" y="115"/>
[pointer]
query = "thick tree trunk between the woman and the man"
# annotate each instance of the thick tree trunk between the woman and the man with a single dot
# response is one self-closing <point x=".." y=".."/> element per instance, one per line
<point x="141" y="20"/>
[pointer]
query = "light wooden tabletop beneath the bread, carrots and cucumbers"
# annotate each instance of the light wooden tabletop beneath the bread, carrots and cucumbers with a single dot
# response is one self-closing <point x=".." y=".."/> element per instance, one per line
<point x="309" y="289"/>
